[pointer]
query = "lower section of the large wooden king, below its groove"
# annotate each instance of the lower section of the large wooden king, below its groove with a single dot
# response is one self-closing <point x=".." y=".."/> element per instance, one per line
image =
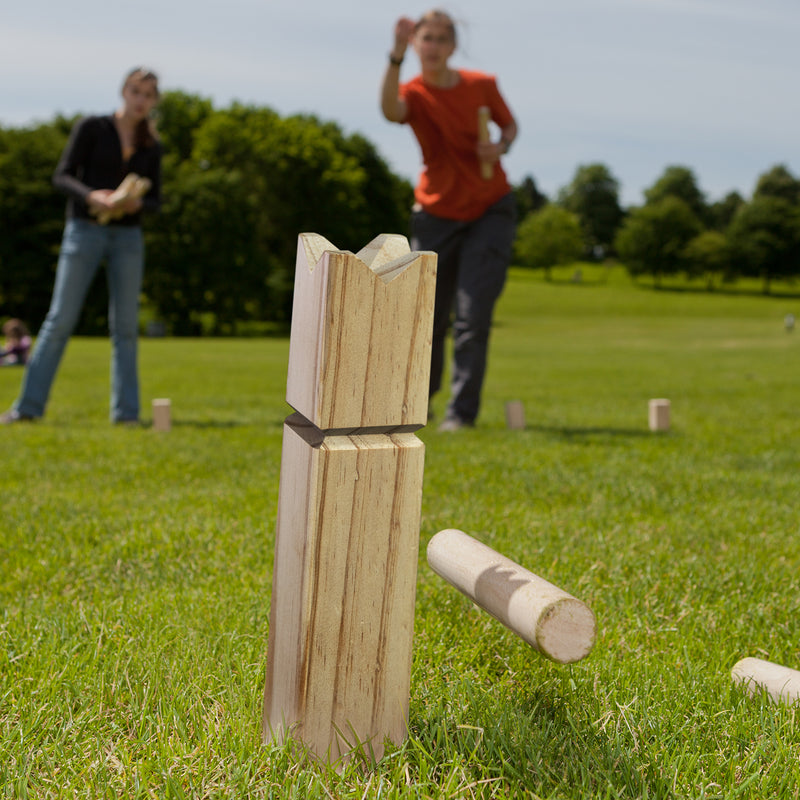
<point x="341" y="622"/>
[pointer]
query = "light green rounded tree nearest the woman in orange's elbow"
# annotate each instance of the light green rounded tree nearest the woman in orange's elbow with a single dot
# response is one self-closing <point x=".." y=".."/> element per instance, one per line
<point x="547" y="238"/>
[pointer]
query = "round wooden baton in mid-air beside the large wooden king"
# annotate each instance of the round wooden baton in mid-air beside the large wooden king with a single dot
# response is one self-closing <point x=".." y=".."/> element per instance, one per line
<point x="552" y="621"/>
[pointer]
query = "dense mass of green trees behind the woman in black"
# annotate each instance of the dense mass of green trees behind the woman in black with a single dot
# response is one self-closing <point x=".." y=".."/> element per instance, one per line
<point x="239" y="185"/>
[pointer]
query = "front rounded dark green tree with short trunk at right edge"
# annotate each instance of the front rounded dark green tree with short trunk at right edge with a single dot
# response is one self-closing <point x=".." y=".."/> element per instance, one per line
<point x="765" y="237"/>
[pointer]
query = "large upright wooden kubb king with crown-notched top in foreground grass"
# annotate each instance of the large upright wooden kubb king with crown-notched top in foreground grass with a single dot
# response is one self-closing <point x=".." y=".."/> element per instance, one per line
<point x="344" y="581"/>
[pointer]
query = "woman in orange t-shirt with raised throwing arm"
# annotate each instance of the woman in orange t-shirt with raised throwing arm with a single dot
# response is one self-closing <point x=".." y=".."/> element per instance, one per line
<point x="465" y="210"/>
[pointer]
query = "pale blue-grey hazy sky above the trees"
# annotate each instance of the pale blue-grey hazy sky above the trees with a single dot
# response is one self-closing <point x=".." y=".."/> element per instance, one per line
<point x="638" y="85"/>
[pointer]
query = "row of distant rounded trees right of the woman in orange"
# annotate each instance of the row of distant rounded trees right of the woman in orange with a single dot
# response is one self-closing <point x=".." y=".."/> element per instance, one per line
<point x="675" y="232"/>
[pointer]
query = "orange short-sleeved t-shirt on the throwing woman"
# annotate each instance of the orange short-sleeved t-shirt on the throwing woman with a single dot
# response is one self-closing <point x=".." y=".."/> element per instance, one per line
<point x="445" y="122"/>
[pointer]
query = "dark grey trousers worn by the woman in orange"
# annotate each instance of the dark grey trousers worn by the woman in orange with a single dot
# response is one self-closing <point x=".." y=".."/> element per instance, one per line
<point x="473" y="259"/>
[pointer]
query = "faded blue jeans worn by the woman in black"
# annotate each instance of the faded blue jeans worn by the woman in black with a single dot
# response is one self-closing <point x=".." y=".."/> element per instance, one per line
<point x="84" y="246"/>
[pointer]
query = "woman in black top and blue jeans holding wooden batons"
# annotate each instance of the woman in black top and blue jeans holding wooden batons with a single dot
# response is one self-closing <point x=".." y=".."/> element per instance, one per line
<point x="101" y="152"/>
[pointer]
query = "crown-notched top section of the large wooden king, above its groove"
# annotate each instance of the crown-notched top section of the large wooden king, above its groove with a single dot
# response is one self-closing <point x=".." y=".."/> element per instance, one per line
<point x="361" y="334"/>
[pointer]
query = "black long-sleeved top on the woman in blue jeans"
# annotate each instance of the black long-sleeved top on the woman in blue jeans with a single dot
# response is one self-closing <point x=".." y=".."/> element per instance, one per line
<point x="93" y="160"/>
